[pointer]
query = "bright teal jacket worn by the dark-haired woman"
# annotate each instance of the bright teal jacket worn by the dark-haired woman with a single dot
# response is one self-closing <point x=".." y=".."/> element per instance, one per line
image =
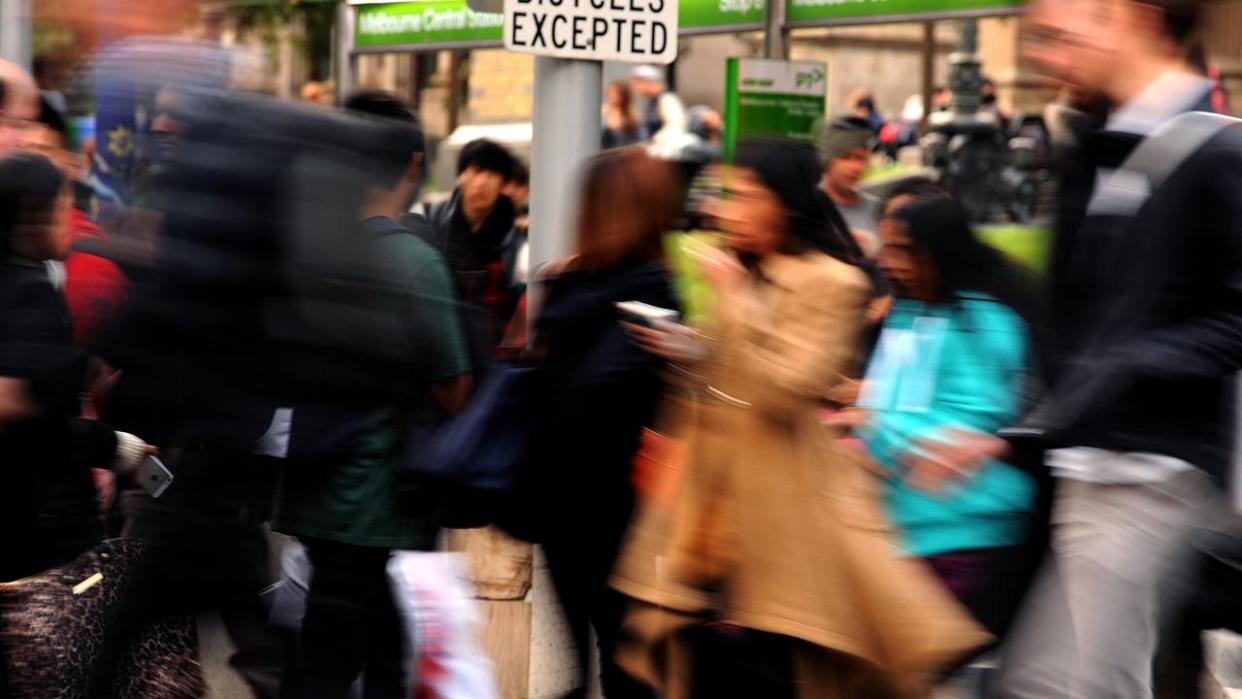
<point x="938" y="368"/>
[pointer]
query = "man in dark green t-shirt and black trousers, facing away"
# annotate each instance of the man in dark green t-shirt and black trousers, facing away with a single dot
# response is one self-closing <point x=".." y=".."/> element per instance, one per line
<point x="402" y="322"/>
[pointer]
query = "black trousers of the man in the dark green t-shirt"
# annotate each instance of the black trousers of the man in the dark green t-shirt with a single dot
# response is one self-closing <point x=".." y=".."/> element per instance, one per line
<point x="351" y="628"/>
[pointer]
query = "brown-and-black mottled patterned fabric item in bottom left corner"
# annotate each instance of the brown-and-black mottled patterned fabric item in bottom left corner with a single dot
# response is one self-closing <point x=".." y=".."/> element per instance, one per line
<point x="60" y="631"/>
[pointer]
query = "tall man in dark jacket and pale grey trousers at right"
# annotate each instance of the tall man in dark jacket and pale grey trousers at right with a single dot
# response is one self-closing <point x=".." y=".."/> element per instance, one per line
<point x="1147" y="337"/>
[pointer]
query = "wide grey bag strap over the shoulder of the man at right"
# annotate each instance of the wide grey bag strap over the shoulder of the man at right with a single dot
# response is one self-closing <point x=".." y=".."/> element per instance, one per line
<point x="1157" y="158"/>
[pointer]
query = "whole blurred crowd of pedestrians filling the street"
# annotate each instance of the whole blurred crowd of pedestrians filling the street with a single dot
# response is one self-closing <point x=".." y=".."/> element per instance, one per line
<point x="777" y="438"/>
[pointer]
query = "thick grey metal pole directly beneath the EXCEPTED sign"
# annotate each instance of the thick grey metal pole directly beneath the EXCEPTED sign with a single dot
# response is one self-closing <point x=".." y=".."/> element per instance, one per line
<point x="567" y="131"/>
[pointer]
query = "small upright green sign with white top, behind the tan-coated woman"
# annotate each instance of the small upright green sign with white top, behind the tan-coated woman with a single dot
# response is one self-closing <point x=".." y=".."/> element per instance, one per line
<point x="766" y="97"/>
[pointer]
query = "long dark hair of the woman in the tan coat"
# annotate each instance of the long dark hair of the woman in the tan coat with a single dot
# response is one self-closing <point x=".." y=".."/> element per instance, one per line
<point x="792" y="172"/>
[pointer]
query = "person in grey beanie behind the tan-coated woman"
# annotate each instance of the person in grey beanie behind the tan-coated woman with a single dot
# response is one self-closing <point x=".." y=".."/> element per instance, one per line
<point x="845" y="147"/>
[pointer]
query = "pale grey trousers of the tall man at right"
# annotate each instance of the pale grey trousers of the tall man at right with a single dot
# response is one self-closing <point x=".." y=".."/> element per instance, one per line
<point x="1118" y="574"/>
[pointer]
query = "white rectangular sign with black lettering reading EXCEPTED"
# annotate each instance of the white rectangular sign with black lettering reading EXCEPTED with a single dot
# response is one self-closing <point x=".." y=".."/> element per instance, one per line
<point x="640" y="32"/>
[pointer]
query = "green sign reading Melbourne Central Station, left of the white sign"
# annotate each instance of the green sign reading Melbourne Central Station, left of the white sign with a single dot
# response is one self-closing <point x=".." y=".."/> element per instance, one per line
<point x="442" y="23"/>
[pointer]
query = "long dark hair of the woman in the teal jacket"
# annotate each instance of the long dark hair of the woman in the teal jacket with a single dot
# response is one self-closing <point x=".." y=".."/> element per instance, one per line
<point x="940" y="227"/>
